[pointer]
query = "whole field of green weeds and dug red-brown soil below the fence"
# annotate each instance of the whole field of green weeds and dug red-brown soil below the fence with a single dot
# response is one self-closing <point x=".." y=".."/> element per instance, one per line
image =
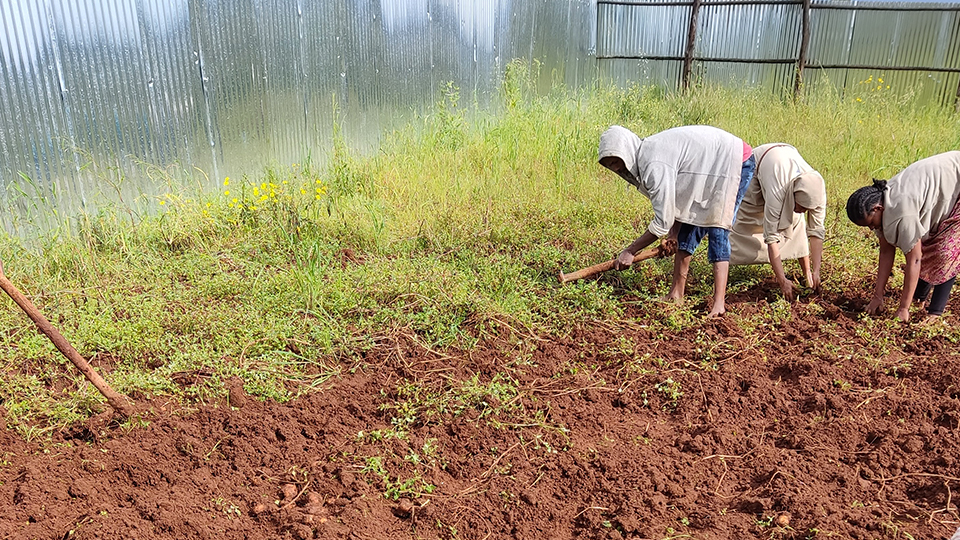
<point x="377" y="346"/>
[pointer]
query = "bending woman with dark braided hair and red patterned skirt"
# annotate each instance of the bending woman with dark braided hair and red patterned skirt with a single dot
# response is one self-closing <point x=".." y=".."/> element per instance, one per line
<point x="918" y="211"/>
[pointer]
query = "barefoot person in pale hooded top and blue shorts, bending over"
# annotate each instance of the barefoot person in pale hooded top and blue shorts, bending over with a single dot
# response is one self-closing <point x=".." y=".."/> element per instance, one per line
<point x="695" y="178"/>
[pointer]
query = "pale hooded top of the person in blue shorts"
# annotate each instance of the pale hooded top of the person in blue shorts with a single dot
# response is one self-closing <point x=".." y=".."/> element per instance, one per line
<point x="691" y="174"/>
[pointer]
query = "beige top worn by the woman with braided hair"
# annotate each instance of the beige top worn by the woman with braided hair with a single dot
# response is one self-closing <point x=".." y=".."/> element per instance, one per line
<point x="919" y="198"/>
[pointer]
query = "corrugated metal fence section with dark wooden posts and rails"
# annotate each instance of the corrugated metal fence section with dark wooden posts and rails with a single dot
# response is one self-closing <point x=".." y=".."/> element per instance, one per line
<point x="780" y="43"/>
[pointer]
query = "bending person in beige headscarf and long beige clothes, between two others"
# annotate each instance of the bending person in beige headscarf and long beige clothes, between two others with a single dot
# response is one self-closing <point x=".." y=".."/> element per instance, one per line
<point x="770" y="226"/>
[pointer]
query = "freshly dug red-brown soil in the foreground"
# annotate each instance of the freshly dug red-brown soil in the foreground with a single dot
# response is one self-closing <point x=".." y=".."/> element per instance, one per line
<point x="805" y="428"/>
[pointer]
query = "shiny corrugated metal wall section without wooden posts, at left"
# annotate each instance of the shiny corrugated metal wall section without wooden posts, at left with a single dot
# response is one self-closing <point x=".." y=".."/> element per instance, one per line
<point x="107" y="100"/>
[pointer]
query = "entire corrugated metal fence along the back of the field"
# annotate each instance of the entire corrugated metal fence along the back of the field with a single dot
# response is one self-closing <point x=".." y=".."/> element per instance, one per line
<point x="103" y="100"/>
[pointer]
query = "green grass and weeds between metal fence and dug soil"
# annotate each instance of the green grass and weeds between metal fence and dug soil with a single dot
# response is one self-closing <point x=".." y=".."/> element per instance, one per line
<point x="453" y="231"/>
